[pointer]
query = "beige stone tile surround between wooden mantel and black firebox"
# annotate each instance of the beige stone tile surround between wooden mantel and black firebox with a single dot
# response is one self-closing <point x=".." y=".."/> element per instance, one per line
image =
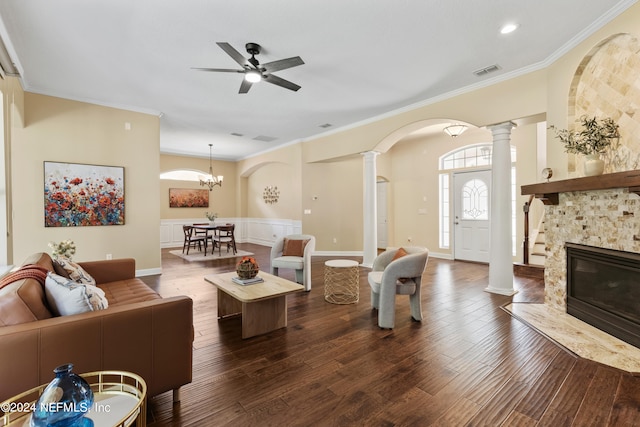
<point x="603" y="218"/>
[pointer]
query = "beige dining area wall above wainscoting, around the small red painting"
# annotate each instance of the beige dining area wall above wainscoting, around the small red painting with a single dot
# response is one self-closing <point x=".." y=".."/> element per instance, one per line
<point x="221" y="199"/>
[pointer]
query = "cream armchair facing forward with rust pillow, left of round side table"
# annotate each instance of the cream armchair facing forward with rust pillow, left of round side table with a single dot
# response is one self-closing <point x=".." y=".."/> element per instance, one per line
<point x="294" y="251"/>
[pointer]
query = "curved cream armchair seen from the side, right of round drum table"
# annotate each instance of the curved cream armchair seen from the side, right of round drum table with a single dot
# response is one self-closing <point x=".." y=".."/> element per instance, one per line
<point x="397" y="272"/>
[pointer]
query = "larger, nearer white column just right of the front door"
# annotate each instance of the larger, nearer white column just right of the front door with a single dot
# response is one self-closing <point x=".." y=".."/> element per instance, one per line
<point x="500" y="254"/>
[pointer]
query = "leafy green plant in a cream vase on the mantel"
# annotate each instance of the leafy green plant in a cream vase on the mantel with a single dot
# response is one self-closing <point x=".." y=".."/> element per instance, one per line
<point x="593" y="139"/>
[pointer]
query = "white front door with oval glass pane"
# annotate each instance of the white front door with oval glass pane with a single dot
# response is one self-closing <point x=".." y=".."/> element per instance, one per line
<point x="472" y="215"/>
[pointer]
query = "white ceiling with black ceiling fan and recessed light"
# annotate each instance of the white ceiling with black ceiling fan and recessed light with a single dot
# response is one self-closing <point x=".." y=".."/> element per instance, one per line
<point x="362" y="59"/>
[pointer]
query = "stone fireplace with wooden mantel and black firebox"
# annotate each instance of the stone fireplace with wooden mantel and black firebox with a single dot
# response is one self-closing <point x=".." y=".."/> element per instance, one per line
<point x="599" y="212"/>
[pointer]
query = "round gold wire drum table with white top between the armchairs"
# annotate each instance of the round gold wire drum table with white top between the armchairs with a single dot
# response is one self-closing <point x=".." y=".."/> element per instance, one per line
<point x="341" y="281"/>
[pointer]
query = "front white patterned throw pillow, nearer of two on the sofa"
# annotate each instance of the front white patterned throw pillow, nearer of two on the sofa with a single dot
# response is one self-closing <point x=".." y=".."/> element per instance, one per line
<point x="66" y="297"/>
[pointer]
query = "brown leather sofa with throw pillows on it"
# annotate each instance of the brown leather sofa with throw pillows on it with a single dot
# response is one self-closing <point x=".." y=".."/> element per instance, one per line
<point x="139" y="332"/>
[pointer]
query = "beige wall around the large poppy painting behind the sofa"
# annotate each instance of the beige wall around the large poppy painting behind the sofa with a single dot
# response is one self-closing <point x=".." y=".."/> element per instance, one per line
<point x="68" y="131"/>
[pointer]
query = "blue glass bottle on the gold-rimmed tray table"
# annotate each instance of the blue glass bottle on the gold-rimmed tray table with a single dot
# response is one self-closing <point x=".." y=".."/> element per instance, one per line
<point x="64" y="401"/>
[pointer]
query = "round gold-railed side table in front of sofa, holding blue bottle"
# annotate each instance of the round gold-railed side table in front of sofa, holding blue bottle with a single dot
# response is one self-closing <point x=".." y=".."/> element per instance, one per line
<point x="119" y="400"/>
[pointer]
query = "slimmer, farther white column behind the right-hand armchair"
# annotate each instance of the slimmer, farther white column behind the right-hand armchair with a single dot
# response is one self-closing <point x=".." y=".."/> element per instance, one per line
<point x="370" y="231"/>
